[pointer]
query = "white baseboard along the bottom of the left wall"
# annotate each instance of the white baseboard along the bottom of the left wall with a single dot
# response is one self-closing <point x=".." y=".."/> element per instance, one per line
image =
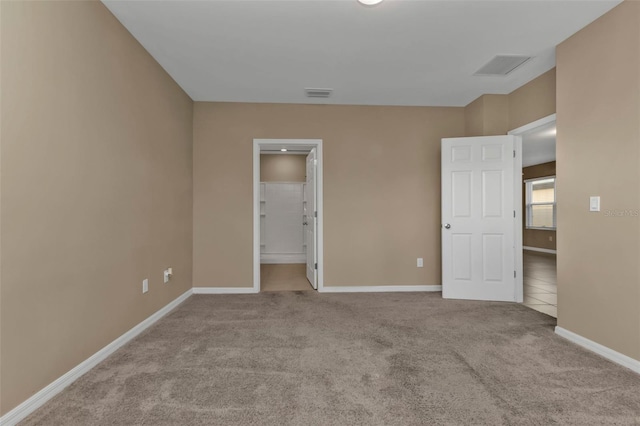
<point x="51" y="390"/>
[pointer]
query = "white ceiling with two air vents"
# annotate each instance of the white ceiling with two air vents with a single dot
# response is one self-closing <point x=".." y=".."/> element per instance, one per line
<point x="400" y="52"/>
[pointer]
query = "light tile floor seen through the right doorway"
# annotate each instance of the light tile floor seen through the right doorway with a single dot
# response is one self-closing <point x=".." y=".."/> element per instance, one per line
<point x="540" y="282"/>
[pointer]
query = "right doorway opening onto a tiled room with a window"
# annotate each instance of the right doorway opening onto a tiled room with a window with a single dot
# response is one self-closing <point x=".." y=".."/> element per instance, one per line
<point x="539" y="202"/>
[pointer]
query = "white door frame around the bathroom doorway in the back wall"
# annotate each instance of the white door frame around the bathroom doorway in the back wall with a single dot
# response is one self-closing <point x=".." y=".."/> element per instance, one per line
<point x="258" y="144"/>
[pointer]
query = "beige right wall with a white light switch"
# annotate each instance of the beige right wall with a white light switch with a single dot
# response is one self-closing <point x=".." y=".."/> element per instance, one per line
<point x="598" y="153"/>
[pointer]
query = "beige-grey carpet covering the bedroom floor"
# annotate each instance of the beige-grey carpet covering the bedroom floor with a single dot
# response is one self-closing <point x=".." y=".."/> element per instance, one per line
<point x="304" y="358"/>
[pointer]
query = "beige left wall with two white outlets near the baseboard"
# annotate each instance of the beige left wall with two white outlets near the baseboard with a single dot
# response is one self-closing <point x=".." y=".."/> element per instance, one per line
<point x="96" y="188"/>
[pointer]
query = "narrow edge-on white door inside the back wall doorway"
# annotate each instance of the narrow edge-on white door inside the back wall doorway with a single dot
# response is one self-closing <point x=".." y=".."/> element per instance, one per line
<point x="311" y="220"/>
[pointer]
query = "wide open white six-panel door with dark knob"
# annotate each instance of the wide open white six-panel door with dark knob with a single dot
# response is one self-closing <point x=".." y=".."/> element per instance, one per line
<point x="478" y="223"/>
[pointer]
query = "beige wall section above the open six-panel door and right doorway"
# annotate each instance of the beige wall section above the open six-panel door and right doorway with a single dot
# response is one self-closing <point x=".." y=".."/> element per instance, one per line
<point x="497" y="114"/>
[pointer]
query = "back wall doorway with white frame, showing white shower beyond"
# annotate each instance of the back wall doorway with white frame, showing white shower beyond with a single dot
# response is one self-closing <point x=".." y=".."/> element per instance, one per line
<point x="287" y="243"/>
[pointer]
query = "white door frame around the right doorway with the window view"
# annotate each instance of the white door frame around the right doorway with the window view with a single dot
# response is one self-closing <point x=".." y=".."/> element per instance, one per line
<point x="518" y="197"/>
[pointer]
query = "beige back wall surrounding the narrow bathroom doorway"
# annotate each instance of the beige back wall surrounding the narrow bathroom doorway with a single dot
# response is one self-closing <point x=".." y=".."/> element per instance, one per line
<point x="381" y="188"/>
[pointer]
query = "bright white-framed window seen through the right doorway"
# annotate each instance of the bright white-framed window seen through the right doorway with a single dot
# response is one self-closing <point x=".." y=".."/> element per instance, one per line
<point x="541" y="203"/>
